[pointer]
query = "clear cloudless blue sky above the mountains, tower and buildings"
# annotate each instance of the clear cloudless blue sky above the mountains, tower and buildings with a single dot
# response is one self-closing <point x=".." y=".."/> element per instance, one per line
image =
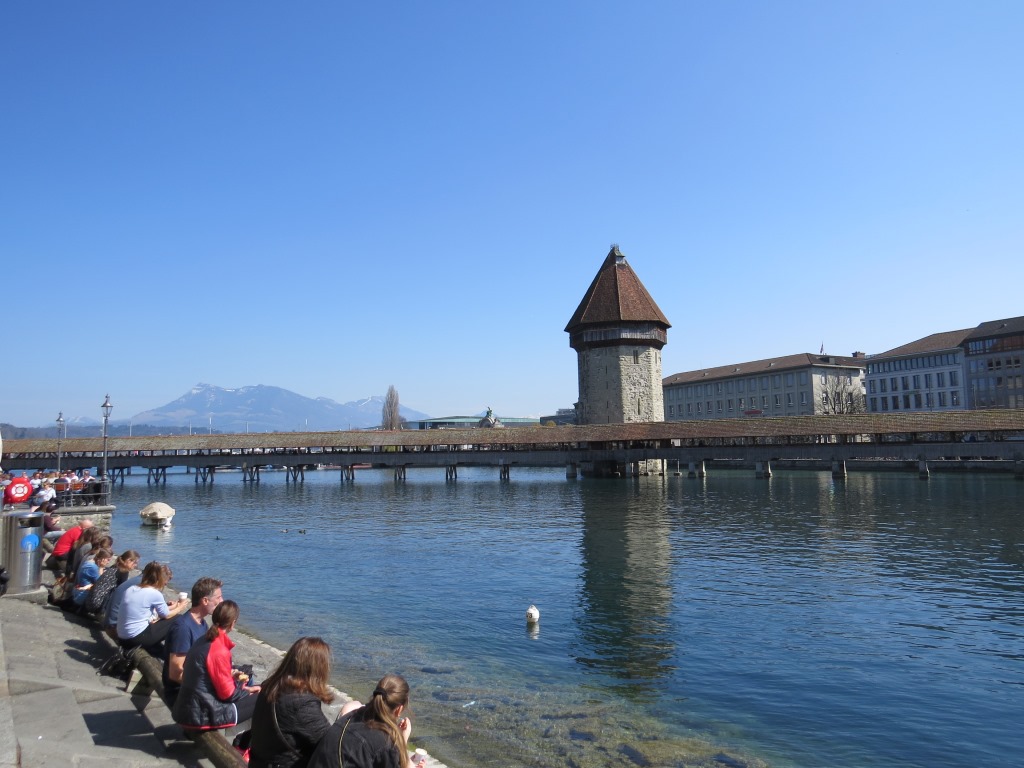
<point x="336" y="197"/>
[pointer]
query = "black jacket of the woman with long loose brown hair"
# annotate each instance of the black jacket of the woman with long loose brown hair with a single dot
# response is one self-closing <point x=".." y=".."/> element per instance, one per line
<point x="301" y="721"/>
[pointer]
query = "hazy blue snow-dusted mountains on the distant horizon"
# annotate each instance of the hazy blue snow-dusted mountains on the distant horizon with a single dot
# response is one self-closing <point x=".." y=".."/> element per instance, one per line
<point x="263" y="409"/>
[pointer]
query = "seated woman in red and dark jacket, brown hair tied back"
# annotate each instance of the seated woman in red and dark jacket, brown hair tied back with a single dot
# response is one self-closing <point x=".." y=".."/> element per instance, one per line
<point x="211" y="695"/>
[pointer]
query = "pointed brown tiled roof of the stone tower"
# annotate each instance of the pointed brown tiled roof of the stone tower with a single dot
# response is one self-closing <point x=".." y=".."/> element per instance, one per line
<point x="616" y="296"/>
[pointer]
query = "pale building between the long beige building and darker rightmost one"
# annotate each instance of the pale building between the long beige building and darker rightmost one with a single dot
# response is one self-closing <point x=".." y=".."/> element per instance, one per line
<point x="925" y="375"/>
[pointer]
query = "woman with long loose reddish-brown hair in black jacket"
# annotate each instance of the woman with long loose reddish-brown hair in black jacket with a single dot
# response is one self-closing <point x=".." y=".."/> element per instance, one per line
<point x="289" y="722"/>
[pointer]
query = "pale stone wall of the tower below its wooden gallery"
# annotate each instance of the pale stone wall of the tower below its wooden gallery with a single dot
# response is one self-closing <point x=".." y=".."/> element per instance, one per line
<point x="621" y="386"/>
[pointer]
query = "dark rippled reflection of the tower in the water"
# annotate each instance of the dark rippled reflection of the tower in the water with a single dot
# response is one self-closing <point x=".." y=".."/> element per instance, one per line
<point x="626" y="599"/>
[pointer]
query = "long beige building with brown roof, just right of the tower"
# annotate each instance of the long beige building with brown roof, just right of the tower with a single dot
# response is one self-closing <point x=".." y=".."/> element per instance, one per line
<point x="795" y="386"/>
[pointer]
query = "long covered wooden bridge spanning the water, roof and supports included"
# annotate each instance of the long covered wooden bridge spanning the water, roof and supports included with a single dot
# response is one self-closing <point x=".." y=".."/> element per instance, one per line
<point x="926" y="441"/>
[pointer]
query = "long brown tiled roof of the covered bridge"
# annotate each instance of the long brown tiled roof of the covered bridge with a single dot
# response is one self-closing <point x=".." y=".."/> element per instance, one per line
<point x="854" y="424"/>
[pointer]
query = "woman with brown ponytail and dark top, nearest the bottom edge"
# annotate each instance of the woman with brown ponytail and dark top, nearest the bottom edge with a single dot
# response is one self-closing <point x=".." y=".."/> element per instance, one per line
<point x="372" y="737"/>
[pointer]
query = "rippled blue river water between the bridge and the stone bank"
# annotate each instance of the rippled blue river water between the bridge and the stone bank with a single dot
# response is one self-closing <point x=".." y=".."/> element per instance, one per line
<point x="797" y="622"/>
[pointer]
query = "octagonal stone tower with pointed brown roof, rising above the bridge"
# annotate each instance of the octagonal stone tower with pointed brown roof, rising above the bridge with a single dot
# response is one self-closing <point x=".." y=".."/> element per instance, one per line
<point x="618" y="332"/>
